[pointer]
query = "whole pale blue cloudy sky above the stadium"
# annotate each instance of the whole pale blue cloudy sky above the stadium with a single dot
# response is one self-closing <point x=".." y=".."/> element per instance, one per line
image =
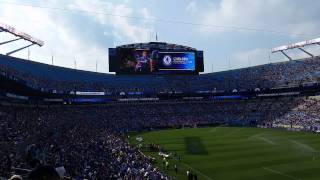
<point x="83" y="30"/>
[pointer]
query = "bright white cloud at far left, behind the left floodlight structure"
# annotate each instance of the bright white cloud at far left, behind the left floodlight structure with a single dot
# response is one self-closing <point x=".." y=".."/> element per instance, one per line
<point x="60" y="40"/>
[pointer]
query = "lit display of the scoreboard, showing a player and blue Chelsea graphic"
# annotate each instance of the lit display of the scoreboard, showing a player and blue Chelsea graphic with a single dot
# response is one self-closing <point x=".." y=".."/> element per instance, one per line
<point x="145" y="61"/>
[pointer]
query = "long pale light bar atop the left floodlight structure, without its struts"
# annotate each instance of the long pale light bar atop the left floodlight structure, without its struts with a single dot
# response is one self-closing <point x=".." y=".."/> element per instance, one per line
<point x="25" y="36"/>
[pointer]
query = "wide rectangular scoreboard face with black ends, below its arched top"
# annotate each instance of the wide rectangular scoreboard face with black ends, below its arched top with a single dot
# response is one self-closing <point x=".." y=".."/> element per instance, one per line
<point x="153" y="61"/>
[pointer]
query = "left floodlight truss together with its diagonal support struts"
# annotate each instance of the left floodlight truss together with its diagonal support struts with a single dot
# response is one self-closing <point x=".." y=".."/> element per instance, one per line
<point x="19" y="36"/>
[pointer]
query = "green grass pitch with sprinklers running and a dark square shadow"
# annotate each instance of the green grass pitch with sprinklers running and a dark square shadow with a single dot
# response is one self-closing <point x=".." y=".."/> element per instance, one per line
<point x="229" y="153"/>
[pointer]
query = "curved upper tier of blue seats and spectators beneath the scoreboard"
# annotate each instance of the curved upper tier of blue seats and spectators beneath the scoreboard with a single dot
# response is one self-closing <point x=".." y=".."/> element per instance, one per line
<point x="46" y="77"/>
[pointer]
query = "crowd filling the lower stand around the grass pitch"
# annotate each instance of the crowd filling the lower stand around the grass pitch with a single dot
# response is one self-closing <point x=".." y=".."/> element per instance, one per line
<point x="89" y="141"/>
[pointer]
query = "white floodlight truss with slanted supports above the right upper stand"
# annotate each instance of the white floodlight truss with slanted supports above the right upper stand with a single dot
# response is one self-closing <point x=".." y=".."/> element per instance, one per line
<point x="298" y="45"/>
